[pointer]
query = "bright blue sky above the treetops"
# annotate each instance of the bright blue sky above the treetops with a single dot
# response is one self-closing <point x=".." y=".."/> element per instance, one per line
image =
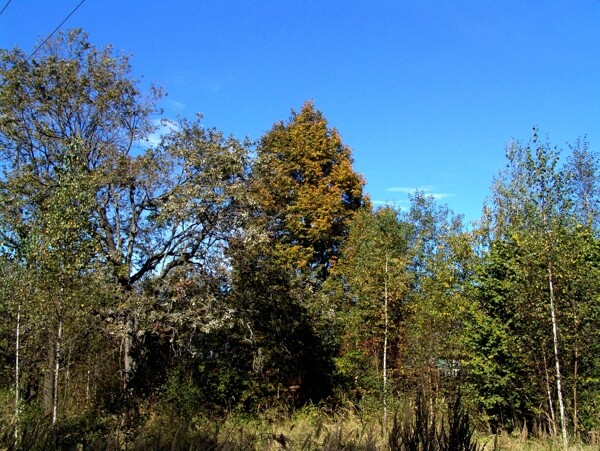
<point x="426" y="93"/>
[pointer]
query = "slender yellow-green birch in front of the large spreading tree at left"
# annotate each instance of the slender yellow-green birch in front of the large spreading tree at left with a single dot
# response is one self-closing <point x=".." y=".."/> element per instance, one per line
<point x="56" y="251"/>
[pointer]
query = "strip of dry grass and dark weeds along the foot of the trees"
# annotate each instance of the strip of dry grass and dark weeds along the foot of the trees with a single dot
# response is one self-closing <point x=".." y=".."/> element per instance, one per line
<point x="419" y="425"/>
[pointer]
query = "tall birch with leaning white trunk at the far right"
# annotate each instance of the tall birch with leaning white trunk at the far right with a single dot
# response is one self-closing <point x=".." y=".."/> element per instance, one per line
<point x="538" y="206"/>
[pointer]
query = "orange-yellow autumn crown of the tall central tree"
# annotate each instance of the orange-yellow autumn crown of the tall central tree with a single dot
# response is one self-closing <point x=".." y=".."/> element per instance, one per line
<point x="303" y="179"/>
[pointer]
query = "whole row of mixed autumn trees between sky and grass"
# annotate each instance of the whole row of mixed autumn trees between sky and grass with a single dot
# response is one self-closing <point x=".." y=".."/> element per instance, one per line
<point x="204" y="274"/>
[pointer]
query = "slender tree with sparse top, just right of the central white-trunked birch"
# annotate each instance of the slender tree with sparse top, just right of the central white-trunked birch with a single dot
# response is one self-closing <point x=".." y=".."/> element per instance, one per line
<point x="441" y="262"/>
